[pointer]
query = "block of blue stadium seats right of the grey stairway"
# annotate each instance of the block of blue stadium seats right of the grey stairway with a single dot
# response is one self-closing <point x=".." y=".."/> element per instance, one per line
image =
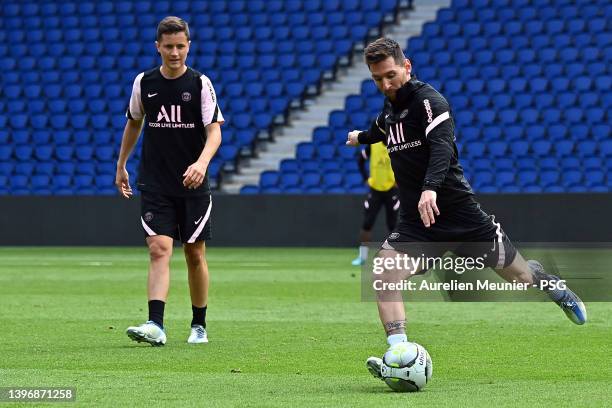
<point x="529" y="83"/>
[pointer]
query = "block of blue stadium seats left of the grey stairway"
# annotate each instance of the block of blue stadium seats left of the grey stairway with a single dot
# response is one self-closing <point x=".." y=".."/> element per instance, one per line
<point x="68" y="69"/>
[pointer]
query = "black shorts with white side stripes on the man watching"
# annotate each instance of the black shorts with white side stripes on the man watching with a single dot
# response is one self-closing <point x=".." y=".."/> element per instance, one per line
<point x="183" y="218"/>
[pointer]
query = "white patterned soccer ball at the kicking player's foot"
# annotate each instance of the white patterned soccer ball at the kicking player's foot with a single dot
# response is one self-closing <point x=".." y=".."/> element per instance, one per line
<point x="406" y="367"/>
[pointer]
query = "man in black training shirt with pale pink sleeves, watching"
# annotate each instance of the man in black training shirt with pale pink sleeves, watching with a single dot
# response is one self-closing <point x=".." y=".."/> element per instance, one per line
<point x="182" y="131"/>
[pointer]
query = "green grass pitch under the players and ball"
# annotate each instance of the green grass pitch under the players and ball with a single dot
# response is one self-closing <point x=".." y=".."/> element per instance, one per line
<point x="287" y="328"/>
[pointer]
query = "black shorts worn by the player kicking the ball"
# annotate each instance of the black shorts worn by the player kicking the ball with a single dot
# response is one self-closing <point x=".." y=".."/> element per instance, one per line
<point x="466" y="231"/>
